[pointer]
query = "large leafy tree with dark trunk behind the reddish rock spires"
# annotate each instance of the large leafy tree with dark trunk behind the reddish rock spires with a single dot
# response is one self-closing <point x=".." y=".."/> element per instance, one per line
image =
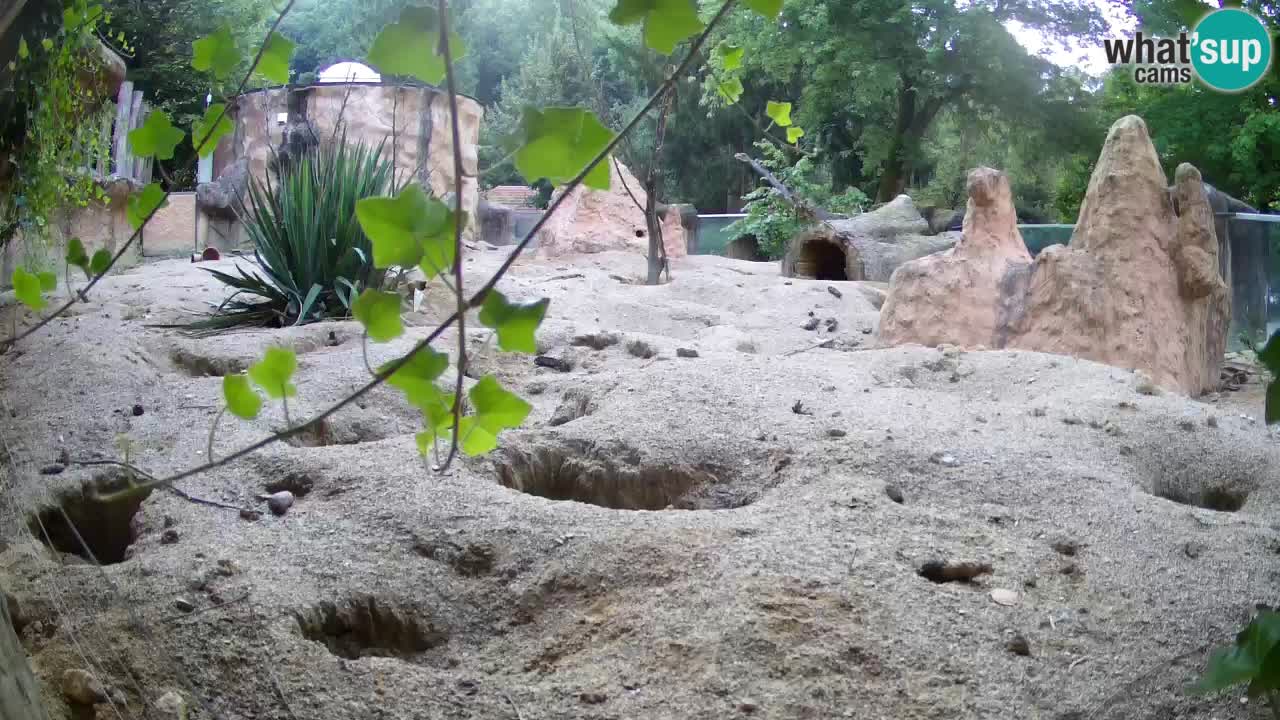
<point x="875" y="75"/>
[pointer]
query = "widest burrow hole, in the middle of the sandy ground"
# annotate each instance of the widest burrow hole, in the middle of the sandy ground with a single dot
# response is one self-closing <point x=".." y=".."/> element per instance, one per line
<point x="619" y="481"/>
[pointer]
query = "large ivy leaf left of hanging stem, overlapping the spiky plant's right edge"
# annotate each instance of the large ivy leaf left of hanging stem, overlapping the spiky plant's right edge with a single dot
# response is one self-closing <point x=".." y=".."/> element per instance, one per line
<point x="409" y="229"/>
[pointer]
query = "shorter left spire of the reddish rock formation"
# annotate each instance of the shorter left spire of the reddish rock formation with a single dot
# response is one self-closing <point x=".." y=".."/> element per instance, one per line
<point x="958" y="297"/>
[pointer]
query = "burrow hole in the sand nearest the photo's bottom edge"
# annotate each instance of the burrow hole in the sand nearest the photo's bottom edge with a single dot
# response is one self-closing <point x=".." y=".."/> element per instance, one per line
<point x="365" y="626"/>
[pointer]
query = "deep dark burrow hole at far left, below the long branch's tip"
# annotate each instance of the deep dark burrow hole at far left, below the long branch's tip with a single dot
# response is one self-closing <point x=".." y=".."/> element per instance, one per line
<point x="95" y="525"/>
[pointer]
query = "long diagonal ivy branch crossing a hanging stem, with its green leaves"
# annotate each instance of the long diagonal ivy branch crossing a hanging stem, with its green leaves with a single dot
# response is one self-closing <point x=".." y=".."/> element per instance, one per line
<point x="408" y="230"/>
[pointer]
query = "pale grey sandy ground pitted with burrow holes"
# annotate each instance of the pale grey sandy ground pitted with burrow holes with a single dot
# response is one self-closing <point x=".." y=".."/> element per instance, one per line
<point x="753" y="532"/>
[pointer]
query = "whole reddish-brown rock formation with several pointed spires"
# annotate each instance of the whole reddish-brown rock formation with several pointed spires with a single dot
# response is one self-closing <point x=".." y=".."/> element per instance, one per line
<point x="1140" y="286"/>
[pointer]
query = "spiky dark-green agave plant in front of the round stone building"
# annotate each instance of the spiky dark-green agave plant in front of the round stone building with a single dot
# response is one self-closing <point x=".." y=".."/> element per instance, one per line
<point x="314" y="257"/>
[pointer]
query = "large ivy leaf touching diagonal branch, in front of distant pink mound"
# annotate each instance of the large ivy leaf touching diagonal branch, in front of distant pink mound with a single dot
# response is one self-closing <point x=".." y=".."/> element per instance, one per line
<point x="559" y="143"/>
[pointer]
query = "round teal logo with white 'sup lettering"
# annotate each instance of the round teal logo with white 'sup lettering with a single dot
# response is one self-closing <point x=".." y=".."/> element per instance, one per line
<point x="1232" y="51"/>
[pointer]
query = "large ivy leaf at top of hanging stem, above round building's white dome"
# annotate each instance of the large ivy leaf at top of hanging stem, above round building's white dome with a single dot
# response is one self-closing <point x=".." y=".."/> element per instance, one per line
<point x="412" y="47"/>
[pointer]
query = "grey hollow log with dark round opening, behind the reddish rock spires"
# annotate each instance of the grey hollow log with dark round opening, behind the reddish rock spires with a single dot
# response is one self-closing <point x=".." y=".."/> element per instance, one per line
<point x="866" y="248"/>
